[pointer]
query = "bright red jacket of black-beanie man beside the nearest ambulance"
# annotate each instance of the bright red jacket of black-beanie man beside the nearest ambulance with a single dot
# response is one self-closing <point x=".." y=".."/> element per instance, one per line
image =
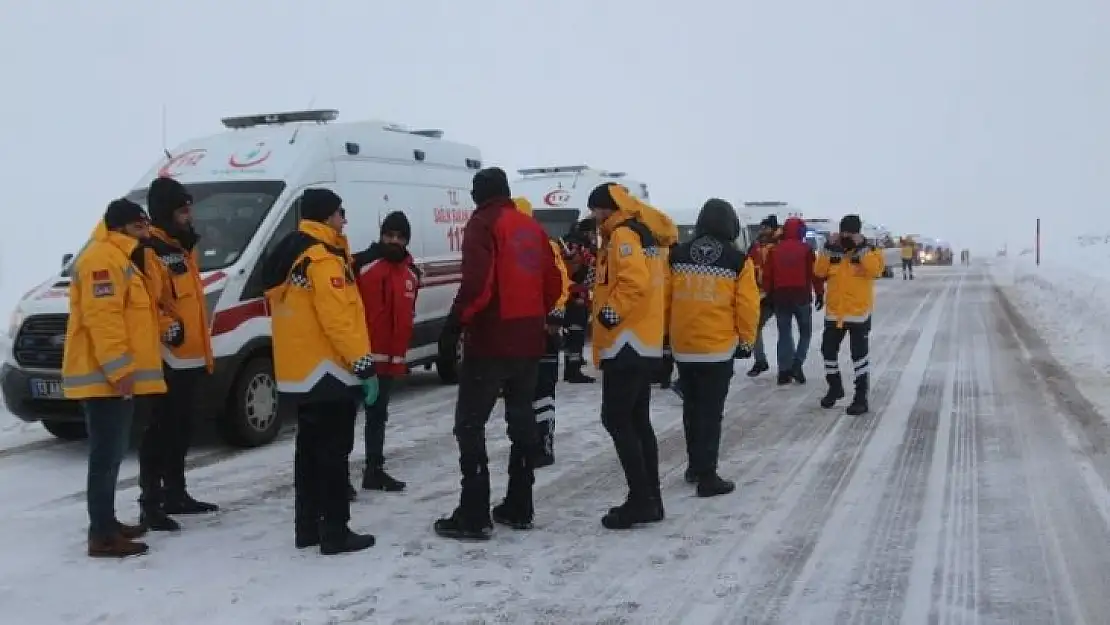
<point x="389" y="297"/>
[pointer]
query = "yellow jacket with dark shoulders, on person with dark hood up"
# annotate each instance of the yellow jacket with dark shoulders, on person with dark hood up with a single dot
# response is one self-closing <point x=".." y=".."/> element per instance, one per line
<point x="714" y="301"/>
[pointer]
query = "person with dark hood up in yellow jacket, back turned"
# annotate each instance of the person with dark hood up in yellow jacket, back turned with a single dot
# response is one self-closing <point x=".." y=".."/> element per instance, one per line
<point x="714" y="317"/>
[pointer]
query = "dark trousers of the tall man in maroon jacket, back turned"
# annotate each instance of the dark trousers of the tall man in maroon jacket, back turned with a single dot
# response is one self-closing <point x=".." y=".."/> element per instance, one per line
<point x="481" y="381"/>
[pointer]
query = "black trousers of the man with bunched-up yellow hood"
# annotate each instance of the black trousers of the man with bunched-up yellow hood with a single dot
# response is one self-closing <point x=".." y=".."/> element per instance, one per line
<point x="627" y="415"/>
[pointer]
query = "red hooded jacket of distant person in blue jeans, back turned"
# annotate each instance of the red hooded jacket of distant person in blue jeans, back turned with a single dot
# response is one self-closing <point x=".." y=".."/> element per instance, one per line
<point x="789" y="270"/>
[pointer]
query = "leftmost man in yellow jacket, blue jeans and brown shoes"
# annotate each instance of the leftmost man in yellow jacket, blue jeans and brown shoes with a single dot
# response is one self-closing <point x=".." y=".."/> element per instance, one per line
<point x="112" y="357"/>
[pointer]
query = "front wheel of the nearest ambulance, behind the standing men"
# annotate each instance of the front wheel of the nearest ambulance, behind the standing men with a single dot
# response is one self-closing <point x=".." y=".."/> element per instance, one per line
<point x="251" y="419"/>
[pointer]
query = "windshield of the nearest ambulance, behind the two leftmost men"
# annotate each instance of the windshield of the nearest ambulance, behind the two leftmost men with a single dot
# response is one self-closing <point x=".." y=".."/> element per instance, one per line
<point x="226" y="216"/>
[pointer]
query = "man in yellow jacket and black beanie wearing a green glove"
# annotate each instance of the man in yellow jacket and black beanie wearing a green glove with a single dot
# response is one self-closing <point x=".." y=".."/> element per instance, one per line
<point x="324" y="367"/>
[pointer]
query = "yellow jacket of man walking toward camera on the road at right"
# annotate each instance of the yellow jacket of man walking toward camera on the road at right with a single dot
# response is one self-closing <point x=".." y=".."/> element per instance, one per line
<point x="850" y="288"/>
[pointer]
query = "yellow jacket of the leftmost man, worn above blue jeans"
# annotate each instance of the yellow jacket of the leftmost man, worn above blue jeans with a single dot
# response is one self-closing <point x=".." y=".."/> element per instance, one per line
<point x="114" y="322"/>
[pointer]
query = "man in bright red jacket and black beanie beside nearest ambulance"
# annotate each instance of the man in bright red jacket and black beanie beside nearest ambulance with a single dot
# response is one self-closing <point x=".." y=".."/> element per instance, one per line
<point x="388" y="283"/>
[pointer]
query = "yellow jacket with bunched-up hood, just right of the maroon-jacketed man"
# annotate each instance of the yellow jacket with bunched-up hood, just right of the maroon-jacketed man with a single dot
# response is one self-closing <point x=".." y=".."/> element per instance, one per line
<point x="630" y="297"/>
